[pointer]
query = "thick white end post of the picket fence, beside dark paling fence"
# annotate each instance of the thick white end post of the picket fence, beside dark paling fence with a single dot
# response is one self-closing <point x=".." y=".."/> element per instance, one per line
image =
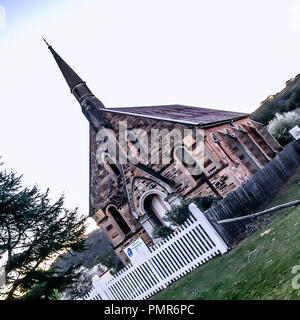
<point x="209" y="229"/>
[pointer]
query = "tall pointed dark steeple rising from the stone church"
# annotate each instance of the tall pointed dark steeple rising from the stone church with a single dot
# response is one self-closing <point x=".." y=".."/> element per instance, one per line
<point x="91" y="106"/>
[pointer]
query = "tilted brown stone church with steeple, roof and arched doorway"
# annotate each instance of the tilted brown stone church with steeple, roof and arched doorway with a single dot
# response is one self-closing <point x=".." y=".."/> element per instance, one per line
<point x="128" y="200"/>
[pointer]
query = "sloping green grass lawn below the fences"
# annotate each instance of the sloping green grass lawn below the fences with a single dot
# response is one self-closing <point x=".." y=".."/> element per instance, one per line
<point x="260" y="267"/>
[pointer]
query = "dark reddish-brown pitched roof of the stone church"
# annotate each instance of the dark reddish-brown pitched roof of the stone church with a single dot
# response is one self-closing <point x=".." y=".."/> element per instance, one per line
<point x="181" y="114"/>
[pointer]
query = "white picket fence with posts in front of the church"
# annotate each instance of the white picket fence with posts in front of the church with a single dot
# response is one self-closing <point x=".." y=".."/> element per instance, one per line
<point x="188" y="247"/>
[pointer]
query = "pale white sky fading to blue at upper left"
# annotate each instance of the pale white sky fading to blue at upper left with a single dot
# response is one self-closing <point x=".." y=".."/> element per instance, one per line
<point x="219" y="54"/>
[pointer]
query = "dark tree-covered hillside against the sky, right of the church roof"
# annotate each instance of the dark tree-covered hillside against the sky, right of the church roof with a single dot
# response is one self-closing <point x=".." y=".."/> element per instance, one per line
<point x="286" y="100"/>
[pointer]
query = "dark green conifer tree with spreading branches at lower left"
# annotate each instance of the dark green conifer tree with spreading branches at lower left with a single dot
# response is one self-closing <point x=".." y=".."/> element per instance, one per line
<point x="32" y="232"/>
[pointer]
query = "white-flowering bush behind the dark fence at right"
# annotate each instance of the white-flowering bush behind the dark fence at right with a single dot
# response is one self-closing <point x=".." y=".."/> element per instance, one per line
<point x="280" y="126"/>
